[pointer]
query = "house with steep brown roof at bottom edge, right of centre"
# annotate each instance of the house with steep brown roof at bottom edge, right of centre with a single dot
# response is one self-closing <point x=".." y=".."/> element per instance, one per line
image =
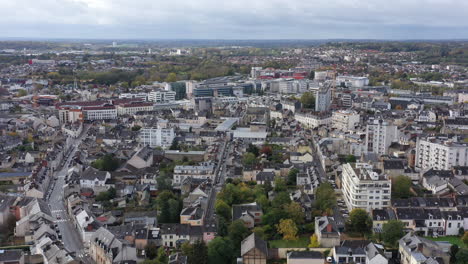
<point x="254" y="250"/>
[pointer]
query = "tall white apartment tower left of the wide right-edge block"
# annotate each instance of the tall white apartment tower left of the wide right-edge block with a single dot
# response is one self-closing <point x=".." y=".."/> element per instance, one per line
<point x="379" y="136"/>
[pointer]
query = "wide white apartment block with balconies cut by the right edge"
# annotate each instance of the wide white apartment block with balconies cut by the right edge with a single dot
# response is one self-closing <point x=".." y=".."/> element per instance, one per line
<point x="440" y="153"/>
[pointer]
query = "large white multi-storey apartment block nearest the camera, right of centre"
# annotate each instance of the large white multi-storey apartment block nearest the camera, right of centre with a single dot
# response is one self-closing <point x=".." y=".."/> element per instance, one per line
<point x="364" y="188"/>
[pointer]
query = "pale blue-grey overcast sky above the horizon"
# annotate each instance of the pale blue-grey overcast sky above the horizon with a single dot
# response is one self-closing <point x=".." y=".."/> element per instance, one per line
<point x="235" y="19"/>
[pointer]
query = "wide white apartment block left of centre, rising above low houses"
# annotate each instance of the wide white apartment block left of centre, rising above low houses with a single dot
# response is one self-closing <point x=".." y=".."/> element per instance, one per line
<point x="157" y="137"/>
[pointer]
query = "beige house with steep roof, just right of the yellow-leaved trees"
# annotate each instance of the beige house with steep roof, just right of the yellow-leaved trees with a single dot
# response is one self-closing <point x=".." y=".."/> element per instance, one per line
<point x="327" y="231"/>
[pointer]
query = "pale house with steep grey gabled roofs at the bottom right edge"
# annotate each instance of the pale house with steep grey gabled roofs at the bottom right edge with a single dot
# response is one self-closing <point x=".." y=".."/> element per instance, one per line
<point x="417" y="250"/>
